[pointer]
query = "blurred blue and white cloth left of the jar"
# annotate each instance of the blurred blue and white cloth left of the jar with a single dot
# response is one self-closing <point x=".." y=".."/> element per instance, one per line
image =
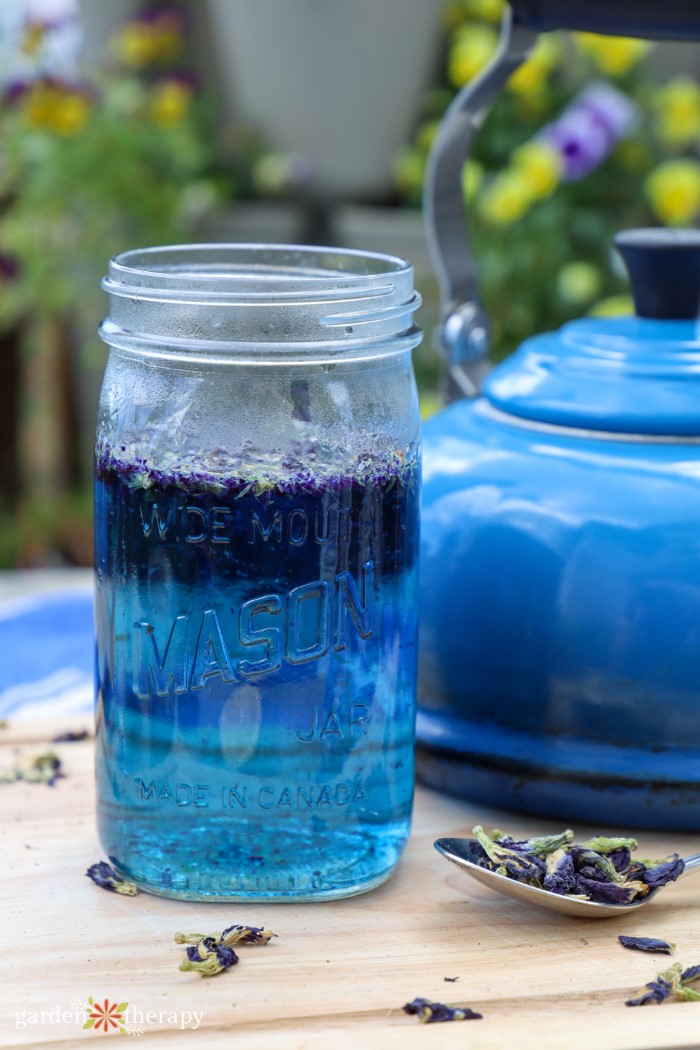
<point x="48" y="666"/>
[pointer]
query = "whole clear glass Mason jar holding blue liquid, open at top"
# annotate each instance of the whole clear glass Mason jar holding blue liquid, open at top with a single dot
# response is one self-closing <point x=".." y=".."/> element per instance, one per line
<point x="258" y="479"/>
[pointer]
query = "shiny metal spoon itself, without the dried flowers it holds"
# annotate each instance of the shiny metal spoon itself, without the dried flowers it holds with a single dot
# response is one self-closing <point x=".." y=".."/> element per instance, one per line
<point x="461" y="852"/>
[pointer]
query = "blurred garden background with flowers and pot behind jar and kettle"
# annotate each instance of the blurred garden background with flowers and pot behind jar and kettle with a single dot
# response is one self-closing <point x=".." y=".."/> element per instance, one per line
<point x="124" y="125"/>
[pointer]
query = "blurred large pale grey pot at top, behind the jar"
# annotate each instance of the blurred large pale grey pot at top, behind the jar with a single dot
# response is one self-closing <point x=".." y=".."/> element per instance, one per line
<point x="337" y="81"/>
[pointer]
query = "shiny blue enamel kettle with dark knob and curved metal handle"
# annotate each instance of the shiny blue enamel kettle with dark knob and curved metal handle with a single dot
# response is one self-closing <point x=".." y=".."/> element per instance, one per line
<point x="560" y="663"/>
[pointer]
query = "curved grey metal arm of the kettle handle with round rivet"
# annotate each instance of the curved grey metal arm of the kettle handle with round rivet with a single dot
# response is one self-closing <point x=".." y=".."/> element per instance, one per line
<point x="463" y="337"/>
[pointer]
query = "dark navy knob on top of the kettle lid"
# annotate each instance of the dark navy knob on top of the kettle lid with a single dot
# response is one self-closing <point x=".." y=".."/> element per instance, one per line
<point x="665" y="270"/>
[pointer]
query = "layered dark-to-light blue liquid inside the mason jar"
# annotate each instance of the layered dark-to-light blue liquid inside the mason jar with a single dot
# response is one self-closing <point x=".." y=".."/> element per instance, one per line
<point x="257" y="677"/>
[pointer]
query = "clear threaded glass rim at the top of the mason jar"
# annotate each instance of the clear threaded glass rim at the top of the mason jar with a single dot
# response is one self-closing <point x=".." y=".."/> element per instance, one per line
<point x="261" y="303"/>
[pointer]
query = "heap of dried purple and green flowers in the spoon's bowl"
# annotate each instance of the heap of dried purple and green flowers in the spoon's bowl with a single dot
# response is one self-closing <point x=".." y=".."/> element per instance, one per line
<point x="599" y="870"/>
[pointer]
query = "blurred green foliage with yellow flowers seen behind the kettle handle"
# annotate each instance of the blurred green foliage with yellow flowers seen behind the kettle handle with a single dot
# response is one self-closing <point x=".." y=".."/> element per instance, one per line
<point x="543" y="243"/>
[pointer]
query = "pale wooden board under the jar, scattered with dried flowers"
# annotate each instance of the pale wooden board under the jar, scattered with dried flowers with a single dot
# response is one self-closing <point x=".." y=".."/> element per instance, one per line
<point x="338" y="974"/>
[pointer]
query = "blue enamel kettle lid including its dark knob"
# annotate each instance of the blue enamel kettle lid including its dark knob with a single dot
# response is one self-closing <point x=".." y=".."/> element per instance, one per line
<point x="630" y="375"/>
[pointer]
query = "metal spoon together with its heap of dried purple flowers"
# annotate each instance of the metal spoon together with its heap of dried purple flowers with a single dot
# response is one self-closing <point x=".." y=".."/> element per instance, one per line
<point x="596" y="879"/>
